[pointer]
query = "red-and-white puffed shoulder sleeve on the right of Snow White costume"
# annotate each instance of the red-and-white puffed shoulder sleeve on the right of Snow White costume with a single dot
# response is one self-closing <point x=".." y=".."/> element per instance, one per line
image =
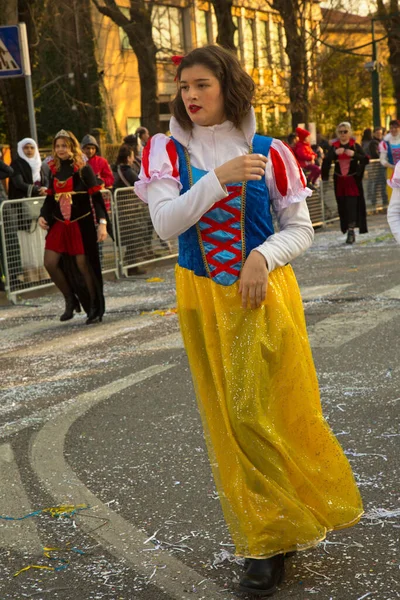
<point x="284" y="177"/>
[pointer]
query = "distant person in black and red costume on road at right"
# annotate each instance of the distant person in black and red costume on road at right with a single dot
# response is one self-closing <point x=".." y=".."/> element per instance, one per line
<point x="350" y="161"/>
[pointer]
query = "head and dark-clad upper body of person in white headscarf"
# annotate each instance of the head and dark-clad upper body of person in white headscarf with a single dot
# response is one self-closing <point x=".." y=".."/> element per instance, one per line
<point x="28" y="180"/>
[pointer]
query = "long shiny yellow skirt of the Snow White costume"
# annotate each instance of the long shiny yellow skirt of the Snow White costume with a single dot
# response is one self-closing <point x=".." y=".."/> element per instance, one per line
<point x="282" y="477"/>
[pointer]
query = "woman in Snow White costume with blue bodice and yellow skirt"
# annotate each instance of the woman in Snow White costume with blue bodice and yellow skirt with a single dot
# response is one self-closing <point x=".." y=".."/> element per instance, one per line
<point x="282" y="477"/>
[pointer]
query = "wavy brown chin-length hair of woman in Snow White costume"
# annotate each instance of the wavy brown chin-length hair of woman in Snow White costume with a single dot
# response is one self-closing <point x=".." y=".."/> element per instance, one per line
<point x="237" y="86"/>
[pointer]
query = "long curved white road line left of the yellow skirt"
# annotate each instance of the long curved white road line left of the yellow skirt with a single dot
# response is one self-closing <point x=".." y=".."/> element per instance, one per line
<point x="119" y="536"/>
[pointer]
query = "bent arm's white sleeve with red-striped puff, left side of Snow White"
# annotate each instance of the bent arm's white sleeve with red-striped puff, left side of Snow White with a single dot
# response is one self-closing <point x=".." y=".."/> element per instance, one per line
<point x="159" y="185"/>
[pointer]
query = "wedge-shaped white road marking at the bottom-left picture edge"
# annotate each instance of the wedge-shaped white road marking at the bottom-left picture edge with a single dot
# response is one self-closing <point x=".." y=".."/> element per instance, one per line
<point x="21" y="536"/>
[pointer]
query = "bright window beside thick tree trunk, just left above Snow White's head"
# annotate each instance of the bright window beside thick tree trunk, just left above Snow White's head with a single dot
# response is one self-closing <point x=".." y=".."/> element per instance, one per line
<point x="167" y="31"/>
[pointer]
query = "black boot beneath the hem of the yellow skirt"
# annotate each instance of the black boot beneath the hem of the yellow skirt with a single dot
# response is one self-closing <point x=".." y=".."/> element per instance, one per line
<point x="263" y="576"/>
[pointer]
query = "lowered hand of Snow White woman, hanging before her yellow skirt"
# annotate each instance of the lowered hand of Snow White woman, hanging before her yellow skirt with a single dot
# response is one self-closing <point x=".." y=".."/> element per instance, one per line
<point x="253" y="280"/>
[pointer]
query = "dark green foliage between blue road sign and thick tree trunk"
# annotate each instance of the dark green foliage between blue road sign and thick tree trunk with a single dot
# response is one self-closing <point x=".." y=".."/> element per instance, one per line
<point x="65" y="77"/>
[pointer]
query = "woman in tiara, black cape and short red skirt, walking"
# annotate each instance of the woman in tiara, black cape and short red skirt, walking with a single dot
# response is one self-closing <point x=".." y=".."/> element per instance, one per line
<point x="71" y="252"/>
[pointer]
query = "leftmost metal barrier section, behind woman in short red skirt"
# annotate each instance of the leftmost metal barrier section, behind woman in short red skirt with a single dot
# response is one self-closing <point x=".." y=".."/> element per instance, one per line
<point x="22" y="246"/>
